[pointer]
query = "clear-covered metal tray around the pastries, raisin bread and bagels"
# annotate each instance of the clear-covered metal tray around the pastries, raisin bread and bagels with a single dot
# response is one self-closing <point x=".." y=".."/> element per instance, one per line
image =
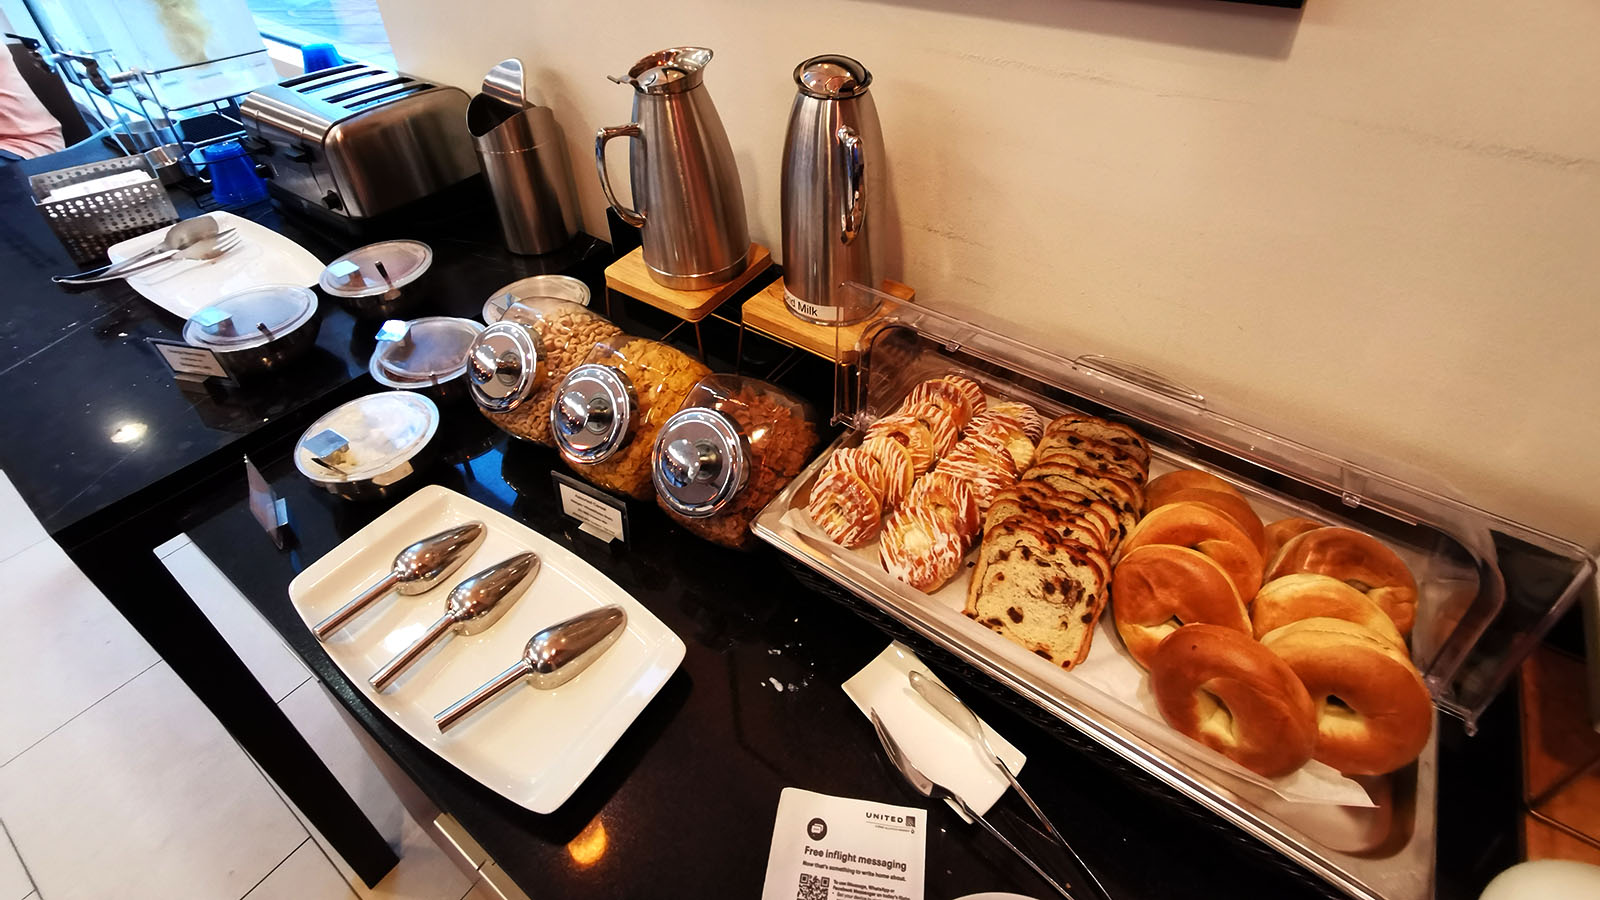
<point x="1489" y="587"/>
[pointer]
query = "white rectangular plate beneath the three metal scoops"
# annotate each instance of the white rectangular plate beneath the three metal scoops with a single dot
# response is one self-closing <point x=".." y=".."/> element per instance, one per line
<point x="532" y="747"/>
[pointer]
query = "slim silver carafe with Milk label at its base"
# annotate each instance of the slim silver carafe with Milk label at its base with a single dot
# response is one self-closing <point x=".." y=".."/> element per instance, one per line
<point x="833" y="187"/>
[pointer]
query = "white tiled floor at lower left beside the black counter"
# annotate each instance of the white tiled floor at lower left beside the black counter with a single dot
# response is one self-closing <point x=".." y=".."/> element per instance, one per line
<point x="118" y="782"/>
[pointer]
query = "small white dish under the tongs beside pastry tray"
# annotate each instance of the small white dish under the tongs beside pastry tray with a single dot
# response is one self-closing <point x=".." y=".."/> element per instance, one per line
<point x="934" y="745"/>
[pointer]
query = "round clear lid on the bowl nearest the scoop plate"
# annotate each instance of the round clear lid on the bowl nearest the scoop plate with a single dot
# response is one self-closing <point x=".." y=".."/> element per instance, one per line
<point x="367" y="438"/>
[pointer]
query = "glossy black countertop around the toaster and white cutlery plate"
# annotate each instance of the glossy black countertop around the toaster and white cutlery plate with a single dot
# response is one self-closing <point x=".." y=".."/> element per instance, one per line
<point x="106" y="422"/>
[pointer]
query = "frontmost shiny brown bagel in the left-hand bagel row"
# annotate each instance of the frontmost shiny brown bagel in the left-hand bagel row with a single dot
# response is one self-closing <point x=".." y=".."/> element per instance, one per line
<point x="1234" y="696"/>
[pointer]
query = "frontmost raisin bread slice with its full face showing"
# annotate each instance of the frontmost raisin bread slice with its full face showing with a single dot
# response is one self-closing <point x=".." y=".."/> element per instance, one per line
<point x="1047" y="605"/>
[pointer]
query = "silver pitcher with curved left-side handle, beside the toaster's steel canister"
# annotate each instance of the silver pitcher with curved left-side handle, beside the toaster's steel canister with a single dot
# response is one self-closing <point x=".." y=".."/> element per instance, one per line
<point x="687" y="195"/>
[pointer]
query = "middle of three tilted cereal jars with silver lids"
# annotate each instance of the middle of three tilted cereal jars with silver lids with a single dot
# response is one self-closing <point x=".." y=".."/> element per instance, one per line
<point x="606" y="416"/>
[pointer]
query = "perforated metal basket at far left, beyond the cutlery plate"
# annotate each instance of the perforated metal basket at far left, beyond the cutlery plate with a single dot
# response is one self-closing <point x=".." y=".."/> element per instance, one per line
<point x="90" y="223"/>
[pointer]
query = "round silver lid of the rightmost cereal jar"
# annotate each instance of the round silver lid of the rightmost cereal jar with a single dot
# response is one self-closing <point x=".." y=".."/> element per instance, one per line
<point x="700" y="462"/>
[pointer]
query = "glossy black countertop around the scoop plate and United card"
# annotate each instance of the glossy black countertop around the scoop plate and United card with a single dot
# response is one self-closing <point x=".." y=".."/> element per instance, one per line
<point x="687" y="798"/>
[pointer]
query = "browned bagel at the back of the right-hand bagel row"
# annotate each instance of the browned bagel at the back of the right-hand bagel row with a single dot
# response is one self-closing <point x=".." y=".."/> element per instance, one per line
<point x="1358" y="560"/>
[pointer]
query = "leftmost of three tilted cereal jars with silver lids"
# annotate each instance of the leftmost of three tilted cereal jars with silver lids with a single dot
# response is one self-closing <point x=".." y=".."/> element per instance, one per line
<point x="518" y="364"/>
